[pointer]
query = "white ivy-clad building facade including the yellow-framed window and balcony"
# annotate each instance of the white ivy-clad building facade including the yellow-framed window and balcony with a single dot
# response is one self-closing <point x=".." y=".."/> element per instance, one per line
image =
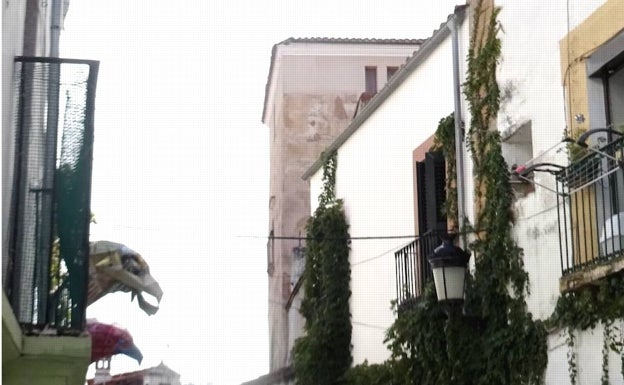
<point x="560" y="75"/>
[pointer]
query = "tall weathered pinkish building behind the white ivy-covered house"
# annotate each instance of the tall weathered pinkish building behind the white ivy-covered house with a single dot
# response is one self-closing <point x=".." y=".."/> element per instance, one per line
<point x="314" y="89"/>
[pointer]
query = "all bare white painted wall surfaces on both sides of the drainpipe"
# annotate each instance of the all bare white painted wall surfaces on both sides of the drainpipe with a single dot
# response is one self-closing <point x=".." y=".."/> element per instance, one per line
<point x="374" y="175"/>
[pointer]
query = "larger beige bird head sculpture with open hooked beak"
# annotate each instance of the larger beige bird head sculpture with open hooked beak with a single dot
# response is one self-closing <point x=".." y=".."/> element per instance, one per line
<point x="115" y="267"/>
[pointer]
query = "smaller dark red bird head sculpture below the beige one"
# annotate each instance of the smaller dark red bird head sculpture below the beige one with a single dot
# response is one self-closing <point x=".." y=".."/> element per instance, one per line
<point x="108" y="340"/>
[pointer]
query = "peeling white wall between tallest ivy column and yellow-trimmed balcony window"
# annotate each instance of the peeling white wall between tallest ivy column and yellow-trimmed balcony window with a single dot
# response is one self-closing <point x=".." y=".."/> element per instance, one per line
<point x="530" y="68"/>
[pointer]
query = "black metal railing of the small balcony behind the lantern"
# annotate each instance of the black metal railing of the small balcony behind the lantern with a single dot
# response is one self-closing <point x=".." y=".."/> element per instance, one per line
<point x="412" y="268"/>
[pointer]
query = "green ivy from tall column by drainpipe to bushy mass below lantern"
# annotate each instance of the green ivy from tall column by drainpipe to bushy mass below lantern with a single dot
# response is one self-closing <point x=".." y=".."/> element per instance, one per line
<point x="496" y="340"/>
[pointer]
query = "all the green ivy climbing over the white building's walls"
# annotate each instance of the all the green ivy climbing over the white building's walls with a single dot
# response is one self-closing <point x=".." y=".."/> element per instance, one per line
<point x="496" y="341"/>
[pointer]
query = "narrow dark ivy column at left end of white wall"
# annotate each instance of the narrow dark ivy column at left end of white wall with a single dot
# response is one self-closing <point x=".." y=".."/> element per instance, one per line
<point x="323" y="354"/>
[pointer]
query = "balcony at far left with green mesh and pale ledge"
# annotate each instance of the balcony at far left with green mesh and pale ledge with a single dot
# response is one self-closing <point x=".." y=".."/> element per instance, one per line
<point x="45" y="269"/>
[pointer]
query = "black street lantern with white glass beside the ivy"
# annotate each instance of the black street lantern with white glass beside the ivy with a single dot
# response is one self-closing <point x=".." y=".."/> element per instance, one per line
<point x="449" y="263"/>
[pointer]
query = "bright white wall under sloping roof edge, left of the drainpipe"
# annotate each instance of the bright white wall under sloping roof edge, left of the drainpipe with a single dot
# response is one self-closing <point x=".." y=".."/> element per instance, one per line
<point x="374" y="178"/>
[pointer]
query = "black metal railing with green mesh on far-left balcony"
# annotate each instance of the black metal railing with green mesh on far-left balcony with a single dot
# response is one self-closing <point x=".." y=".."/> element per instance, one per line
<point x="46" y="273"/>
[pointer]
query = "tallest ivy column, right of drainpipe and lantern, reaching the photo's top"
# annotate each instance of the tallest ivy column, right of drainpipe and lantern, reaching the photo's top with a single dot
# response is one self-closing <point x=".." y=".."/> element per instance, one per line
<point x="513" y="345"/>
